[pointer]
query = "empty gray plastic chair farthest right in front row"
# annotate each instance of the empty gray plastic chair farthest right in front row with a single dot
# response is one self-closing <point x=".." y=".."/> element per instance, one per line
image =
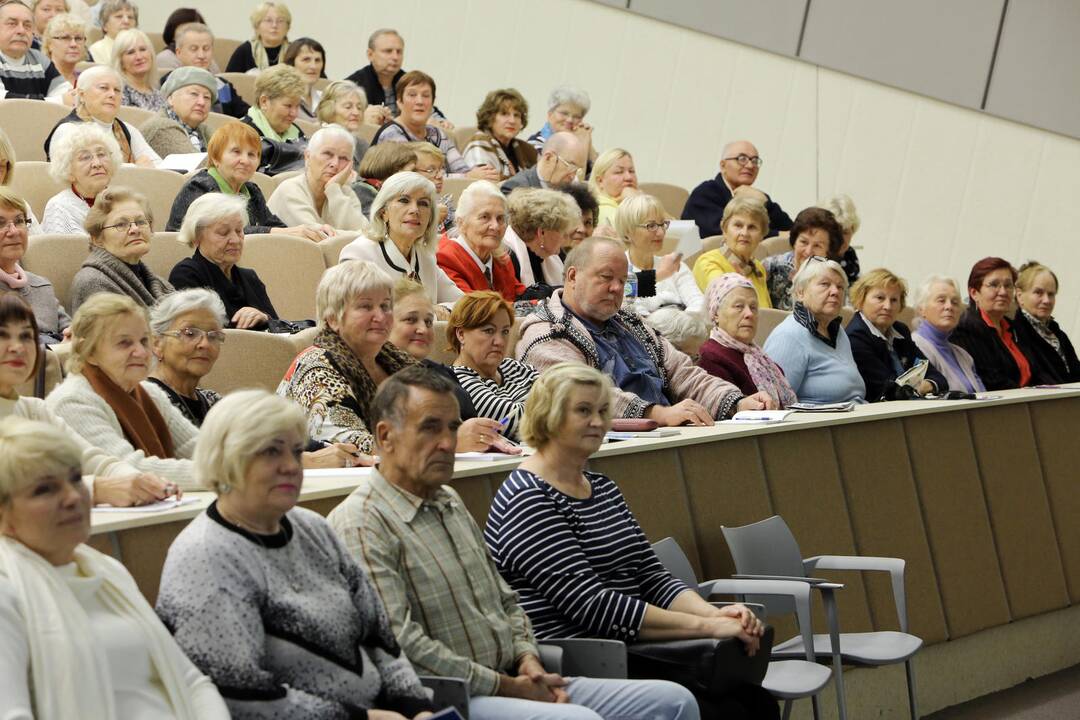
<point x="768" y="550"/>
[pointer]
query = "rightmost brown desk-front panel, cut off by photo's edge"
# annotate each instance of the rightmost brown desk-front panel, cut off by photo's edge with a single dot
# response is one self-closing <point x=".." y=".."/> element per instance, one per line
<point x="1060" y="454"/>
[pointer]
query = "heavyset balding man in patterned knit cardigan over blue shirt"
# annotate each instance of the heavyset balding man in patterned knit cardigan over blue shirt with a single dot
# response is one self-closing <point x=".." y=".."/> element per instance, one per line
<point x="584" y="323"/>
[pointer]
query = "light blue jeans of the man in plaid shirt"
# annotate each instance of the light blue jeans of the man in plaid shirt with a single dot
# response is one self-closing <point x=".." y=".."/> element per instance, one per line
<point x="592" y="699"/>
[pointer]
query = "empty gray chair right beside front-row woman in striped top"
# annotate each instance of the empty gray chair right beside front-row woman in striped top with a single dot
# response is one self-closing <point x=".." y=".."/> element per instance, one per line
<point x="786" y="680"/>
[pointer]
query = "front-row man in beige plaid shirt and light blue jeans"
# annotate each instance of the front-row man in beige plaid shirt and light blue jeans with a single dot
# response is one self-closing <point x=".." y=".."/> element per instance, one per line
<point x="450" y="609"/>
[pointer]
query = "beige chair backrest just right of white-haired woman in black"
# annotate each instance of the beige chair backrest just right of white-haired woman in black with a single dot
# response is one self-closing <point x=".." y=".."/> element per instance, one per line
<point x="291" y="268"/>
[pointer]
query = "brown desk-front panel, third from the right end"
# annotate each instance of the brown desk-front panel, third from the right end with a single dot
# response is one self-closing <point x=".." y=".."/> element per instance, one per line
<point x="958" y="528"/>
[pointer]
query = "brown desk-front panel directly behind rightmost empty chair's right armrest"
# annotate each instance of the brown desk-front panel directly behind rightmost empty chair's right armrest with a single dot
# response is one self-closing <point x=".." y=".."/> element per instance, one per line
<point x="887" y="522"/>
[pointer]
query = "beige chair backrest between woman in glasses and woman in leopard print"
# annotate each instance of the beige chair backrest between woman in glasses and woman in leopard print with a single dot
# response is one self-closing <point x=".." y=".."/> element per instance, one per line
<point x="251" y="359"/>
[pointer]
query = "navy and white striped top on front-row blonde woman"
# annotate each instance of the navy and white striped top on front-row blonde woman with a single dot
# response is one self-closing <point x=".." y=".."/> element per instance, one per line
<point x="583" y="568"/>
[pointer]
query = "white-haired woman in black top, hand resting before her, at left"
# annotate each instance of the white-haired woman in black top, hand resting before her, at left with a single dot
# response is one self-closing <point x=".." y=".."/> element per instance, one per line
<point x="214" y="227"/>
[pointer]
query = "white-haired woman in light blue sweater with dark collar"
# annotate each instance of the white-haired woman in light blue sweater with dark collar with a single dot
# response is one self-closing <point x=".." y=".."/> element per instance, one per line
<point x="811" y="346"/>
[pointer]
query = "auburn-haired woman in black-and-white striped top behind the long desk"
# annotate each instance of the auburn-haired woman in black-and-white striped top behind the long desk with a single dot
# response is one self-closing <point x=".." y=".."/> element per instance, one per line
<point x="479" y="332"/>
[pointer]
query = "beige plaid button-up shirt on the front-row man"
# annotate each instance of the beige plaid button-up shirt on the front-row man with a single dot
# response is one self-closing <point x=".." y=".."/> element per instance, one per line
<point x="453" y="614"/>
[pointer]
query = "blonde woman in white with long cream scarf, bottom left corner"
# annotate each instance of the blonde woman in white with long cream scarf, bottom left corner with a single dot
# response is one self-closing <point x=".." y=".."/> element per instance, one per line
<point x="70" y="612"/>
